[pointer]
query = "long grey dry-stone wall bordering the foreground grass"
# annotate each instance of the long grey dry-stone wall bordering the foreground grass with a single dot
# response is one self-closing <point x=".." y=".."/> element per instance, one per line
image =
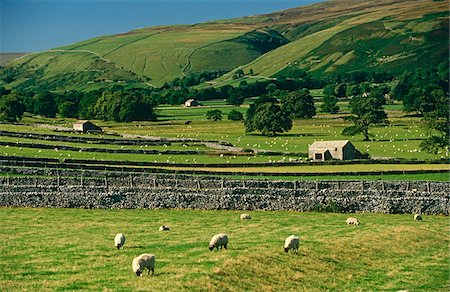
<point x="191" y="192"/>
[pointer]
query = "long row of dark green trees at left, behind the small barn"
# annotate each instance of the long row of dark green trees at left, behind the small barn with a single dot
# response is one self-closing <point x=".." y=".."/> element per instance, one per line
<point x="112" y="105"/>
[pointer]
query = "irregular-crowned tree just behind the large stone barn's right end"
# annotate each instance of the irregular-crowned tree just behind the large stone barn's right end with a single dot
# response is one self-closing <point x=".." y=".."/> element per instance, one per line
<point x="366" y="111"/>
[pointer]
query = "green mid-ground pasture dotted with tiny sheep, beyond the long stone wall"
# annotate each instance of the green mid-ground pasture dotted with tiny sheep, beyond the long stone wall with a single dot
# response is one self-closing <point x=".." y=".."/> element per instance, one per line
<point x="399" y="140"/>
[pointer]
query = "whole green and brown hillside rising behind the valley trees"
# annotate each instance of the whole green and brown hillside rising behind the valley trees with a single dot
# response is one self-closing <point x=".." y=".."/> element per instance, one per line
<point x="333" y="36"/>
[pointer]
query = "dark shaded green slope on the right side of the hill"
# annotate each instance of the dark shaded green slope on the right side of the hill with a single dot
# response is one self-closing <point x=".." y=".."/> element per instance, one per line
<point x="375" y="47"/>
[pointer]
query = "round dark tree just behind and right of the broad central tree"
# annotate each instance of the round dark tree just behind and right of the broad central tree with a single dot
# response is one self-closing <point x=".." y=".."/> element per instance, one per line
<point x="299" y="104"/>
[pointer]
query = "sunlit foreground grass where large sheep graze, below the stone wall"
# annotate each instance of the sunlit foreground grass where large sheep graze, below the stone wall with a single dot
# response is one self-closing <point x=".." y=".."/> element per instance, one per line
<point x="68" y="249"/>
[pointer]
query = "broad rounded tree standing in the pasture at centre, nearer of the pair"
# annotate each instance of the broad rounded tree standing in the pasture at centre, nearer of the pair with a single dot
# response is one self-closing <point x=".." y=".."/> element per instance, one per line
<point x="267" y="116"/>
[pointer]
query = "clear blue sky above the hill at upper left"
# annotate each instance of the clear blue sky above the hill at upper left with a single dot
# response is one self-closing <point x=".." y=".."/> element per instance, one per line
<point x="35" y="25"/>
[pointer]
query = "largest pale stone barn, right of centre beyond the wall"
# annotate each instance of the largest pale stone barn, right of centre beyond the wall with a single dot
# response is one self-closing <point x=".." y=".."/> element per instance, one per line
<point x="326" y="150"/>
